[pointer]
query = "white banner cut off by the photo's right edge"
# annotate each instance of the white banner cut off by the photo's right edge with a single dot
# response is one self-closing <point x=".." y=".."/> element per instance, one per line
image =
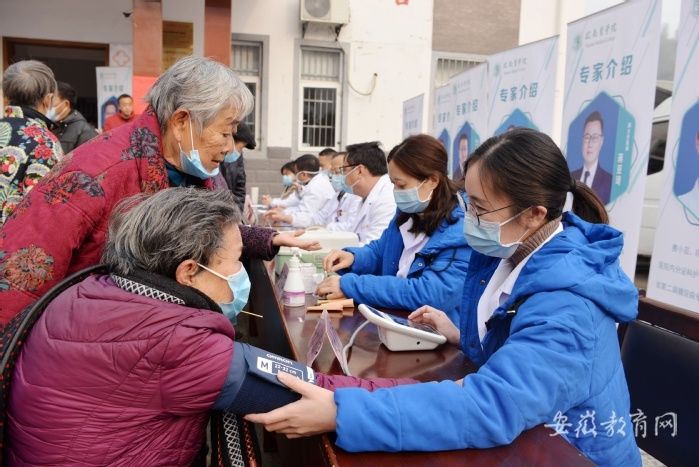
<point x="674" y="273"/>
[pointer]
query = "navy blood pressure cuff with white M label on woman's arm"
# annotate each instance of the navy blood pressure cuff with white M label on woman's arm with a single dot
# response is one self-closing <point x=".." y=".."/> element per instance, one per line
<point x="251" y="384"/>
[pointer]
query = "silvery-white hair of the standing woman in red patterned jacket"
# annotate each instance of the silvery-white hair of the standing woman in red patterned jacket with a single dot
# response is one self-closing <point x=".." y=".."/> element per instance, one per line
<point x="202" y="86"/>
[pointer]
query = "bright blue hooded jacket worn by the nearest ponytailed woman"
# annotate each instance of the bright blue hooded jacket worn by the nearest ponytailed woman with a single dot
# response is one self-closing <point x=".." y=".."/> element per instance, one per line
<point x="555" y="361"/>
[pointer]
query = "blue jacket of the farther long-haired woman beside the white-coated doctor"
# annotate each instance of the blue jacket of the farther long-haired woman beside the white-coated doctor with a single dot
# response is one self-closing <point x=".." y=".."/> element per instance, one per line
<point x="435" y="278"/>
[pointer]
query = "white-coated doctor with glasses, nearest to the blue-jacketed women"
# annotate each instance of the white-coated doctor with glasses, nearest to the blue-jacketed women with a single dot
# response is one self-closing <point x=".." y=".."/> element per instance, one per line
<point x="365" y="174"/>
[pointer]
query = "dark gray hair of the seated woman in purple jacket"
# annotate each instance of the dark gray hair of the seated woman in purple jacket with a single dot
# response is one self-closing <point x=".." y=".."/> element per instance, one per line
<point x="156" y="233"/>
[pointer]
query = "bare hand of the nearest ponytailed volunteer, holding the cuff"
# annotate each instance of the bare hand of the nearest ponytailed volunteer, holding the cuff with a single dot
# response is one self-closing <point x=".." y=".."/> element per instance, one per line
<point x="313" y="414"/>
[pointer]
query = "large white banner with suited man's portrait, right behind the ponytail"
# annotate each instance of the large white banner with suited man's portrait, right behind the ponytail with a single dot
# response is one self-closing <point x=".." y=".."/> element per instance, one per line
<point x="611" y="68"/>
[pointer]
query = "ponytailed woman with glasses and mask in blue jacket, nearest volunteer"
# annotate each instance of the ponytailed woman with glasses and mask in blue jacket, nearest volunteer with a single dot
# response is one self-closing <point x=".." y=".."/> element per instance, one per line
<point x="542" y="295"/>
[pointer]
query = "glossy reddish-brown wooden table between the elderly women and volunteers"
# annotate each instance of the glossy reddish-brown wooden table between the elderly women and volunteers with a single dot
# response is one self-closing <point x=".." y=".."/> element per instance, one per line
<point x="286" y="331"/>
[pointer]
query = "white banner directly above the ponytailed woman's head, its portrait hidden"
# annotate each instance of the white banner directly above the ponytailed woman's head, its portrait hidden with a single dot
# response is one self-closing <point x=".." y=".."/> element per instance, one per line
<point x="522" y="87"/>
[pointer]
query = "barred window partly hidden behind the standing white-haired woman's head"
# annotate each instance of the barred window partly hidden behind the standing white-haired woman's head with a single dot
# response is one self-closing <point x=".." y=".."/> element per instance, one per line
<point x="247" y="62"/>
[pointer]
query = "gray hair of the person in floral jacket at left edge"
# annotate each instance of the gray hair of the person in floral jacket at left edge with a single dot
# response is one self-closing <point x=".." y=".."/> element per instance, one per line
<point x="27" y="82"/>
